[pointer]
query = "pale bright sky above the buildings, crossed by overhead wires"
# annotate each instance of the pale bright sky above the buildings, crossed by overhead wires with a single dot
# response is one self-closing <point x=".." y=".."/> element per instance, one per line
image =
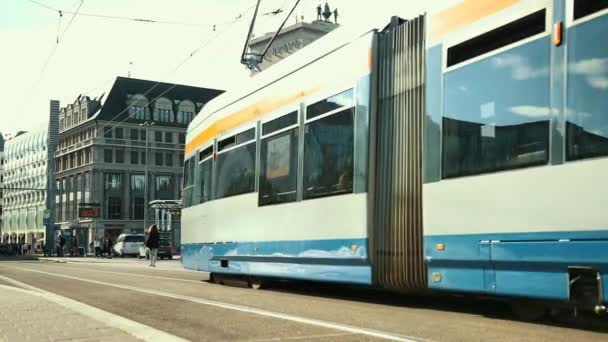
<point x="92" y="51"/>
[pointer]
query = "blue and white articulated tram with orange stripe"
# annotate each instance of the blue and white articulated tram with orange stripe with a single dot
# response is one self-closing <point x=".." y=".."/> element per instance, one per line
<point x="462" y="150"/>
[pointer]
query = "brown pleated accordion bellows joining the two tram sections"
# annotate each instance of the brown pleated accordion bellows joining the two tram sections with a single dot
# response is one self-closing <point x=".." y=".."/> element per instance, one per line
<point x="397" y="251"/>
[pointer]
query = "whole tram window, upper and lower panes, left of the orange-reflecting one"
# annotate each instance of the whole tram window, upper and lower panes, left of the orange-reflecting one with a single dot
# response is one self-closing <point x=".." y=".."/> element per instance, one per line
<point x="236" y="165"/>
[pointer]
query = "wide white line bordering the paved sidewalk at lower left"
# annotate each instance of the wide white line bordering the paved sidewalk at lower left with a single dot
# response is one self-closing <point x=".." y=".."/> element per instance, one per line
<point x="133" y="328"/>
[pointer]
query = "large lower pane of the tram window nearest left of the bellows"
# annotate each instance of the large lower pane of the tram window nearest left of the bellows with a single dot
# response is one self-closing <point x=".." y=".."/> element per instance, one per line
<point x="328" y="155"/>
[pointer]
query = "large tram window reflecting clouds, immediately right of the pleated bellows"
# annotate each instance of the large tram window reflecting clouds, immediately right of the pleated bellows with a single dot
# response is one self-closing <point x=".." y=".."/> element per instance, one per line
<point x="489" y="128"/>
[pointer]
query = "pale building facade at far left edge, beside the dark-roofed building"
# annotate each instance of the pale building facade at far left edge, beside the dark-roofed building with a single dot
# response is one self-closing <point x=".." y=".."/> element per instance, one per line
<point x="25" y="176"/>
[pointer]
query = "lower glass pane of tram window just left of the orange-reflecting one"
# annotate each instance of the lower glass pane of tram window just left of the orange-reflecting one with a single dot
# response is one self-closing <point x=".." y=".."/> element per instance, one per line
<point x="236" y="171"/>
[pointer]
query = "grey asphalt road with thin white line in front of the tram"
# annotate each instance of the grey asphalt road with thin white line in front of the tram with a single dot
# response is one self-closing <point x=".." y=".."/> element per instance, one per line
<point x="182" y="303"/>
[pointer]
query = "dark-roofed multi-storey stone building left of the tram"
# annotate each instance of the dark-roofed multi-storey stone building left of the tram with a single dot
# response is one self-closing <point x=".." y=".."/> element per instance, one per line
<point x="105" y="150"/>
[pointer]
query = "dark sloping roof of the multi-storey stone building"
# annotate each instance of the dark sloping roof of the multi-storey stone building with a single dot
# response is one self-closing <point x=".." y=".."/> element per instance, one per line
<point x="123" y="88"/>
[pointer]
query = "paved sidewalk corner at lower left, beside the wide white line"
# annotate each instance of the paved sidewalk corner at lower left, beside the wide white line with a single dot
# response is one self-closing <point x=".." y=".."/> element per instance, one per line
<point x="28" y="316"/>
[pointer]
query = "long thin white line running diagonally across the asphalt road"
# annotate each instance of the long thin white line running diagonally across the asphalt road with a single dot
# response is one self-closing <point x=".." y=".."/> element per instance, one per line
<point x="259" y="312"/>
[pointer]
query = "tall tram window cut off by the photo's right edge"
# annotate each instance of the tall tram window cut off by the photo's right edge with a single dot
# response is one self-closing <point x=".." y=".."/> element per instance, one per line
<point x="587" y="99"/>
